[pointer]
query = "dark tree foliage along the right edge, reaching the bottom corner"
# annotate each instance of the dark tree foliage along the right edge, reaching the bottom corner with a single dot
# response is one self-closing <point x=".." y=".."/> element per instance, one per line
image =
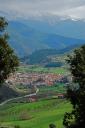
<point x="76" y="91"/>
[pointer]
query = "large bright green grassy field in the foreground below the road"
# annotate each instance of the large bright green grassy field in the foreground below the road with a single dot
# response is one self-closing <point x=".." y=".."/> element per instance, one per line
<point x="34" y="115"/>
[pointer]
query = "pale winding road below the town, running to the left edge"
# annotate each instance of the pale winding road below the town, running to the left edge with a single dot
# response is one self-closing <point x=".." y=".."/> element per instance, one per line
<point x="29" y="95"/>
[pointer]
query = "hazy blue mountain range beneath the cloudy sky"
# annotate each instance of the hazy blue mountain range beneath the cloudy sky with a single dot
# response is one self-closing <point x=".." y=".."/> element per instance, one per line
<point x="27" y="36"/>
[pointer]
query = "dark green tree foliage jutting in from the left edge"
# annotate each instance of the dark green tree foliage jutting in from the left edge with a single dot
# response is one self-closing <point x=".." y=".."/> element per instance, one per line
<point x="8" y="59"/>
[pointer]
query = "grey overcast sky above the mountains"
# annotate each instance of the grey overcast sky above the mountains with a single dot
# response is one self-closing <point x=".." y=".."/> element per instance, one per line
<point x="39" y="8"/>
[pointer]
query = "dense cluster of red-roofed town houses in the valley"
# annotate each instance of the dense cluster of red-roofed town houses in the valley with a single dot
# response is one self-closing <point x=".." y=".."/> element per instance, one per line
<point x="37" y="79"/>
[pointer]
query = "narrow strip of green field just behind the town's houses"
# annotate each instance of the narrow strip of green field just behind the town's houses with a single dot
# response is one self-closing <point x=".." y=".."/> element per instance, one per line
<point x="40" y="69"/>
